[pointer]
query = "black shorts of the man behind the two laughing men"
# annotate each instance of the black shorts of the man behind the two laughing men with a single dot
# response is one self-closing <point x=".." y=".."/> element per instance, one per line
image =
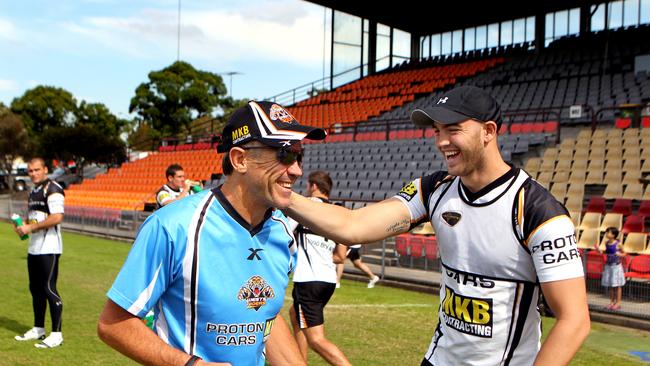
<point x="309" y="300"/>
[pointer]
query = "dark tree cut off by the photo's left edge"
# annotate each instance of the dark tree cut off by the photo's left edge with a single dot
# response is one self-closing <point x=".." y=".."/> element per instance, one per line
<point x="14" y="140"/>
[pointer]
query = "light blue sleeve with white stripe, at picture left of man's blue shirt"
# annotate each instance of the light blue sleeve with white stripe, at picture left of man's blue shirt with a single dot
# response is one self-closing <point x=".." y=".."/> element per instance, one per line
<point x="147" y="271"/>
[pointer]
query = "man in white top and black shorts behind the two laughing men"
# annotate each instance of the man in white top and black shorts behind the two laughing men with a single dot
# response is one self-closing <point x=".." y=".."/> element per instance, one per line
<point x="314" y="280"/>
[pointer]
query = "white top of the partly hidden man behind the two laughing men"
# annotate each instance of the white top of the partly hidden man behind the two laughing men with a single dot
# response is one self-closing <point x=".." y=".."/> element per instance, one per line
<point x="315" y="261"/>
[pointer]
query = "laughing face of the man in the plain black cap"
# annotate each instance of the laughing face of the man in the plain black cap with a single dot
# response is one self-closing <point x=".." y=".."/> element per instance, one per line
<point x="462" y="146"/>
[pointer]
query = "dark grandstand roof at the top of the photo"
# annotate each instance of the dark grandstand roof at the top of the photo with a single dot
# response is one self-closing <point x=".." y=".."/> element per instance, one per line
<point x="441" y="16"/>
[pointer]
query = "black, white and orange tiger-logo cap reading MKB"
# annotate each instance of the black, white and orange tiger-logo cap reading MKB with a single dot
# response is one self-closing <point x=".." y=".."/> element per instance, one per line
<point x="268" y="123"/>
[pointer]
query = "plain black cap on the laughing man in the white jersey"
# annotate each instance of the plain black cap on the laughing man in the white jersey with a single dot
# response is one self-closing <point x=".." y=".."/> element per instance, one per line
<point x="458" y="105"/>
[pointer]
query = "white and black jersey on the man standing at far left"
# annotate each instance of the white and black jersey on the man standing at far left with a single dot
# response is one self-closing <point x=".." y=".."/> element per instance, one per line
<point x="45" y="199"/>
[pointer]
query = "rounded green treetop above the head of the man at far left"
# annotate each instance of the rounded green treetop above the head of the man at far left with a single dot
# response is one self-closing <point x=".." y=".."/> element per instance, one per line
<point x="45" y="106"/>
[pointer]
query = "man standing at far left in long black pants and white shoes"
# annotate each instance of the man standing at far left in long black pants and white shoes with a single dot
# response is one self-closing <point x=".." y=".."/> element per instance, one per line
<point x="45" y="214"/>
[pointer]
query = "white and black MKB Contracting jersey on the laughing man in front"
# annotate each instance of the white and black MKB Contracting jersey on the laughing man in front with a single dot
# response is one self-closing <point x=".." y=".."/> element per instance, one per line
<point x="496" y="246"/>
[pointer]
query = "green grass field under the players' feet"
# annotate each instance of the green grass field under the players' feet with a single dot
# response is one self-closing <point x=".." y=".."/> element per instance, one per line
<point x="382" y="326"/>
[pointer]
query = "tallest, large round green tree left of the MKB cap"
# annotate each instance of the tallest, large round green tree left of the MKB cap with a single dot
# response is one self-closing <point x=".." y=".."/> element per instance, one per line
<point x="176" y="95"/>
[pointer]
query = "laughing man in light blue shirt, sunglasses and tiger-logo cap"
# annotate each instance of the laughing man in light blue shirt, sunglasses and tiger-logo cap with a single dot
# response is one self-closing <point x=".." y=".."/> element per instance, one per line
<point x="215" y="266"/>
